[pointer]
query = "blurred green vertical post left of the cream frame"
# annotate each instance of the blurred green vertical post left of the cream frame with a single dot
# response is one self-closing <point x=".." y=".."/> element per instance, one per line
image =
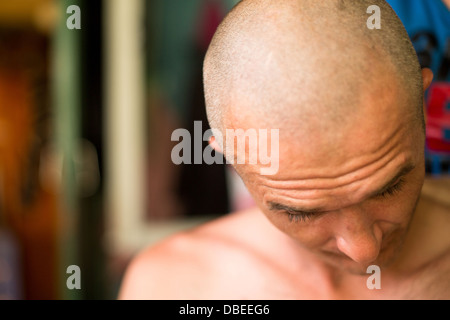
<point x="66" y="92"/>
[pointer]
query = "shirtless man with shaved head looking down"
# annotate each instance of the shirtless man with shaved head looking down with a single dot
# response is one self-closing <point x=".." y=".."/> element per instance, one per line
<point x="348" y="103"/>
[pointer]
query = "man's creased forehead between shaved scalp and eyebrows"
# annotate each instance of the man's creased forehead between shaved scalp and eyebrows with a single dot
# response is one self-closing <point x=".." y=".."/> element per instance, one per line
<point x="343" y="172"/>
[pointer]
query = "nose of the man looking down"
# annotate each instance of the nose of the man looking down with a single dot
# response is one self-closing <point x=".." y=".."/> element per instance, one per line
<point x="358" y="236"/>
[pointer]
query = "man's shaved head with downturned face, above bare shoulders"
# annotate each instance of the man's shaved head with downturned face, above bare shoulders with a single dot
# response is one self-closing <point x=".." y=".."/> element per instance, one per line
<point x="348" y="103"/>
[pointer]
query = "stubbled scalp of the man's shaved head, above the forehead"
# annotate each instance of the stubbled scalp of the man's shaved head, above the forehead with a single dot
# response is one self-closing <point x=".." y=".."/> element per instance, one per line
<point x="291" y="63"/>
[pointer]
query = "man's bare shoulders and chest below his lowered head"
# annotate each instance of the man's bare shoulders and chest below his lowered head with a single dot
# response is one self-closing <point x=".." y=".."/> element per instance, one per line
<point x="242" y="256"/>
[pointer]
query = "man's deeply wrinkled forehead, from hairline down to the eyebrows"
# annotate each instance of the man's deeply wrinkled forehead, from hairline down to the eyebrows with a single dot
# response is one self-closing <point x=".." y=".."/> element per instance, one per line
<point x="321" y="166"/>
